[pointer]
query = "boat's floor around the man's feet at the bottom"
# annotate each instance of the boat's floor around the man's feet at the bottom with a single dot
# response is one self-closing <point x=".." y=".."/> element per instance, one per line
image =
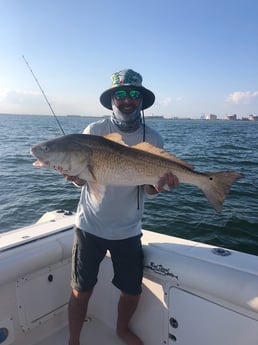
<point x="94" y="332"/>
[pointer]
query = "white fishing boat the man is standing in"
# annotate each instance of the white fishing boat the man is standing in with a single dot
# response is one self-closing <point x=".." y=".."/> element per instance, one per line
<point x="193" y="293"/>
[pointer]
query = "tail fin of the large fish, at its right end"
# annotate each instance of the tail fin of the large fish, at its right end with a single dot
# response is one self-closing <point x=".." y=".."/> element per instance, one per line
<point x="217" y="185"/>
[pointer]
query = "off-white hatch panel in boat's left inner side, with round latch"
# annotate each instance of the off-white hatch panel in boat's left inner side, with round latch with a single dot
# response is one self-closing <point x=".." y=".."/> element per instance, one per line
<point x="40" y="298"/>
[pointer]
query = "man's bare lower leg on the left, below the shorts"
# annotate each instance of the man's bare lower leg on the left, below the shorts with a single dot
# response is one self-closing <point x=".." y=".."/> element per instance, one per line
<point x="77" y="310"/>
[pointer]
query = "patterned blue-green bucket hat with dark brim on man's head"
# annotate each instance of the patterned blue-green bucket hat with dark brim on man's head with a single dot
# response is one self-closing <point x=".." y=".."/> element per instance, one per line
<point x="127" y="77"/>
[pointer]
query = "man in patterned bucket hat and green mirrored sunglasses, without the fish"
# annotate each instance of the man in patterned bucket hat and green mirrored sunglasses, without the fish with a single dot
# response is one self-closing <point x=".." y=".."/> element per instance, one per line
<point x="114" y="224"/>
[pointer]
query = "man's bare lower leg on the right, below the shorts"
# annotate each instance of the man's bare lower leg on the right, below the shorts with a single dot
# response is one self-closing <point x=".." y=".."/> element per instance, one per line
<point x="126" y="307"/>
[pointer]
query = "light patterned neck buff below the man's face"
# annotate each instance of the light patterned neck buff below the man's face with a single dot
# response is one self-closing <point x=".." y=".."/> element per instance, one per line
<point x="126" y="122"/>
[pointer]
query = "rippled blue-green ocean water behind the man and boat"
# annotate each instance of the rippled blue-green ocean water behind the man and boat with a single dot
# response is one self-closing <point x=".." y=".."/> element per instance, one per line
<point x="27" y="192"/>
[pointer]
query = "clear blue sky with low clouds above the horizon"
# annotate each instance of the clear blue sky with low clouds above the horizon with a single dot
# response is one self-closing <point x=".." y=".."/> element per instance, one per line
<point x="199" y="57"/>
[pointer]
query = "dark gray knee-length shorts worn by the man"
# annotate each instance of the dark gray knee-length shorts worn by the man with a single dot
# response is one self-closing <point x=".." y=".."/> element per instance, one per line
<point x="126" y="255"/>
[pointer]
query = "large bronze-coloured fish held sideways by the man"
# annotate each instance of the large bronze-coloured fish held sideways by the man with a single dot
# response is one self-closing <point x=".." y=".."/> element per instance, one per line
<point x="107" y="160"/>
